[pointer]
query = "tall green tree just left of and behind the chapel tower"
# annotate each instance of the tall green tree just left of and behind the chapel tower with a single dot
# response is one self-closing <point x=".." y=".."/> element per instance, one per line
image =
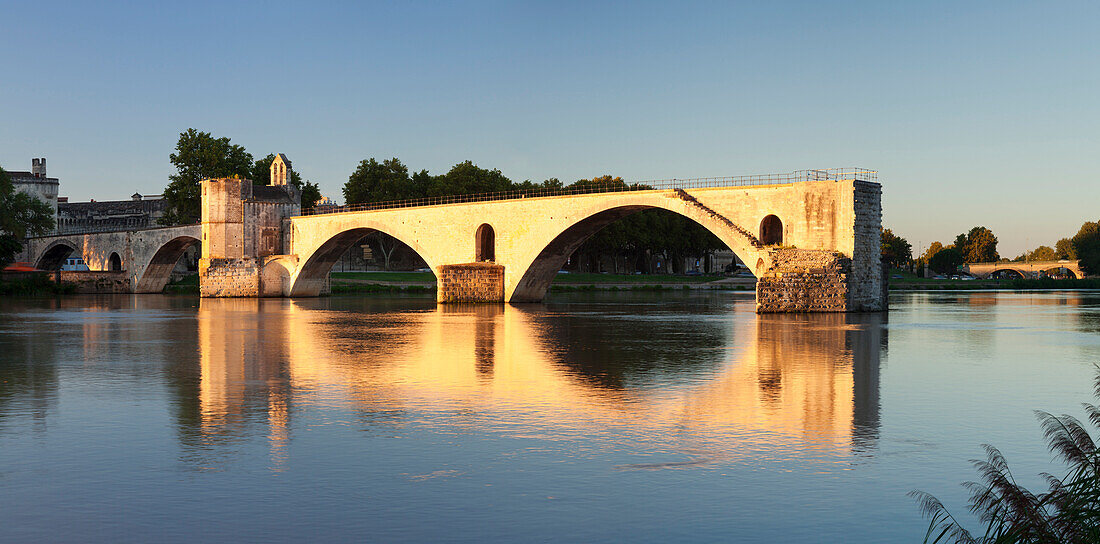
<point x="200" y="157"/>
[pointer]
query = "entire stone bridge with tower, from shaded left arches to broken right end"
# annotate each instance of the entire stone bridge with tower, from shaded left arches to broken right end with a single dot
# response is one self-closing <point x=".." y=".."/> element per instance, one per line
<point x="815" y="245"/>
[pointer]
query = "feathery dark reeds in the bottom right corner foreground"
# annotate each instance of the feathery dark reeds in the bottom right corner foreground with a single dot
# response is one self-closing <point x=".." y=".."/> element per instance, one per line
<point x="1069" y="513"/>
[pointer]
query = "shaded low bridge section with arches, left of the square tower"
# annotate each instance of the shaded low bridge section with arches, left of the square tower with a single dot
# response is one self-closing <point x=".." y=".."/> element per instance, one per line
<point x="144" y="260"/>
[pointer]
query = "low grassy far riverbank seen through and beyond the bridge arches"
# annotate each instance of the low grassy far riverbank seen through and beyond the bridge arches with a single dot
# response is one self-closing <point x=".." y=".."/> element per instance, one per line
<point x="424" y="283"/>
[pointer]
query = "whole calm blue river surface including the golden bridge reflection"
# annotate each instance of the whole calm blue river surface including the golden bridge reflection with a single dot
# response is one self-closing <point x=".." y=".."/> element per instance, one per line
<point x="618" y="417"/>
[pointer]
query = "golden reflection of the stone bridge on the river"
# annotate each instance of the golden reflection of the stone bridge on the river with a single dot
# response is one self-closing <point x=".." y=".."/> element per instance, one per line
<point x="708" y="387"/>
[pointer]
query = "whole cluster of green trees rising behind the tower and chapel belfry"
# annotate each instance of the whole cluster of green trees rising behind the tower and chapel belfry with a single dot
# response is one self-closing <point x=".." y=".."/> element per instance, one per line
<point x="199" y="157"/>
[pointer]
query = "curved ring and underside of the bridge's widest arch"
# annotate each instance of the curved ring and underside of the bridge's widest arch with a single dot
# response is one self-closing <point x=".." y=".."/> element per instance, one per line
<point x="541" y="272"/>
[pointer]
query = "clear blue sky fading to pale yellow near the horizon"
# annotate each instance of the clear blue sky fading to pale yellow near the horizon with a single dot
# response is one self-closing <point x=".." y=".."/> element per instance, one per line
<point x="974" y="114"/>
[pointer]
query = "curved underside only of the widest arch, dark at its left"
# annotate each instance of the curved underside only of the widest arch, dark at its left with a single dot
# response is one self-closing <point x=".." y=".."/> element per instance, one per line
<point x="537" y="279"/>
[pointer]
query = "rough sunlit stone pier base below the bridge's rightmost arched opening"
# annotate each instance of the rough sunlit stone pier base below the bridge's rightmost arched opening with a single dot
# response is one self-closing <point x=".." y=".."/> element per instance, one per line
<point x="806" y="281"/>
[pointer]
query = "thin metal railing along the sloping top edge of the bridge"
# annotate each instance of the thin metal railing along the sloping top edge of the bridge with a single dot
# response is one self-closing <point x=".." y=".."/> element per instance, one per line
<point x="795" y="177"/>
